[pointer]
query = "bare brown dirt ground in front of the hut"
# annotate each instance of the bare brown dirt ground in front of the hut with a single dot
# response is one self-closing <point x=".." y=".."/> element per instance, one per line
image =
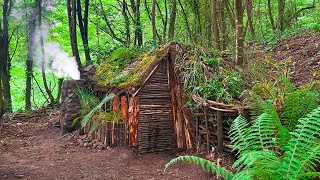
<point x="36" y="150"/>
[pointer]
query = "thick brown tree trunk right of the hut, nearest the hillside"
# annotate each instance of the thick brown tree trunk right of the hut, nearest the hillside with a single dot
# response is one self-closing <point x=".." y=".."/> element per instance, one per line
<point x="239" y="31"/>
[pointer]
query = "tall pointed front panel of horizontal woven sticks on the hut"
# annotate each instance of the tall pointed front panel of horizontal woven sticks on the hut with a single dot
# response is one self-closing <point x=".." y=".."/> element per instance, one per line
<point x="155" y="124"/>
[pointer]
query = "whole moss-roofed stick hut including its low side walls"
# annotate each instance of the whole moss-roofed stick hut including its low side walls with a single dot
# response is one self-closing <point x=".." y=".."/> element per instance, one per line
<point x="150" y="110"/>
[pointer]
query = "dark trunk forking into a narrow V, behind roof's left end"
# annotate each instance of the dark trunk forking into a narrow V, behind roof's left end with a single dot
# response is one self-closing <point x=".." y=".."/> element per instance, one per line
<point x="83" y="26"/>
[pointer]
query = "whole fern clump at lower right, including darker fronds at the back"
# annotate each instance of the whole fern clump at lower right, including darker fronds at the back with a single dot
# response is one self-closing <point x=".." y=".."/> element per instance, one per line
<point x="280" y="143"/>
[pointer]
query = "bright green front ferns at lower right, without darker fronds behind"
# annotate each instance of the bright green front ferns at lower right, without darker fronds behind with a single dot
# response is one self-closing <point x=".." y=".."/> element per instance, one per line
<point x="258" y="157"/>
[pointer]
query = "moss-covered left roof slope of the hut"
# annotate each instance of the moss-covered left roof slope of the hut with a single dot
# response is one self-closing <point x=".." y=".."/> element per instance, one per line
<point x="128" y="67"/>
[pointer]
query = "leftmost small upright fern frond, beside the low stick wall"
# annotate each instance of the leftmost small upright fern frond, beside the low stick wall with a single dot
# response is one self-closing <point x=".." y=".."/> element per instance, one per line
<point x="238" y="132"/>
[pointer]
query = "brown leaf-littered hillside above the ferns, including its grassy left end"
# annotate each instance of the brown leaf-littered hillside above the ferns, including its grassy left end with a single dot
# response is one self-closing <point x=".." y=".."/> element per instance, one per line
<point x="298" y="55"/>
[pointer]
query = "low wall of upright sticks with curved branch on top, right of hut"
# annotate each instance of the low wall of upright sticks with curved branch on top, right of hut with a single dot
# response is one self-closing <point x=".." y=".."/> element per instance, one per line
<point x="213" y="124"/>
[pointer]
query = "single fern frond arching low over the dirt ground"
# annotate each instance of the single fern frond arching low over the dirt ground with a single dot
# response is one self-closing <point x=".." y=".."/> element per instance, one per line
<point x="205" y="164"/>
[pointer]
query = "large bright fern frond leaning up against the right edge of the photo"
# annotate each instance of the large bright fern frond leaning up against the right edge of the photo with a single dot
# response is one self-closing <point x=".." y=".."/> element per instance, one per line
<point x="302" y="143"/>
